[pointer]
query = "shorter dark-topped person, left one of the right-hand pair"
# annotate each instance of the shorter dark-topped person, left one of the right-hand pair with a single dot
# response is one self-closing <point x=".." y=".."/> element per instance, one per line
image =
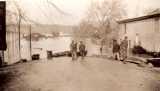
<point x="115" y="50"/>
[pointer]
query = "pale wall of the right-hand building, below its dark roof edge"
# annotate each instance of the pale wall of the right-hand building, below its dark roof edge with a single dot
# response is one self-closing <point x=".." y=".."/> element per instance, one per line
<point x="148" y="31"/>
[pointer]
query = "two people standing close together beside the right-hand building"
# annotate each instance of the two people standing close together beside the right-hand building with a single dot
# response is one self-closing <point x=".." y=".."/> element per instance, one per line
<point x="120" y="49"/>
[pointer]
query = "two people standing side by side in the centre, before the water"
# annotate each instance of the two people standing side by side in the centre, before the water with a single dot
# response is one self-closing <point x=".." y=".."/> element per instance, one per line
<point x="74" y="49"/>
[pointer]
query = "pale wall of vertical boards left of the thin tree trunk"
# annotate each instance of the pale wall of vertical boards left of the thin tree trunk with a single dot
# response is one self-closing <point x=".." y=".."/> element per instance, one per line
<point x="12" y="52"/>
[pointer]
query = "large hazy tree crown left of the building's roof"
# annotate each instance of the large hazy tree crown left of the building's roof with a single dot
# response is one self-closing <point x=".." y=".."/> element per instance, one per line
<point x="101" y="19"/>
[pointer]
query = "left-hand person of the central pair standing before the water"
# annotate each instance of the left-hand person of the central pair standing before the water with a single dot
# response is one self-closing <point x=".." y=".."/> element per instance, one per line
<point x="73" y="48"/>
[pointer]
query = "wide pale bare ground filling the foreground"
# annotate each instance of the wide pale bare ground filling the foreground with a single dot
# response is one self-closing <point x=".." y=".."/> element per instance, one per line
<point x="92" y="74"/>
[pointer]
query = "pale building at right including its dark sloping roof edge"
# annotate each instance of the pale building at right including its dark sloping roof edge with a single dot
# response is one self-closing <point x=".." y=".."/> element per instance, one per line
<point x="144" y="31"/>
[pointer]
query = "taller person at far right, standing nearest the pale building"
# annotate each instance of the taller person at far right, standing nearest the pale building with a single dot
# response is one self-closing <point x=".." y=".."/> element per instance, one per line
<point x="124" y="49"/>
